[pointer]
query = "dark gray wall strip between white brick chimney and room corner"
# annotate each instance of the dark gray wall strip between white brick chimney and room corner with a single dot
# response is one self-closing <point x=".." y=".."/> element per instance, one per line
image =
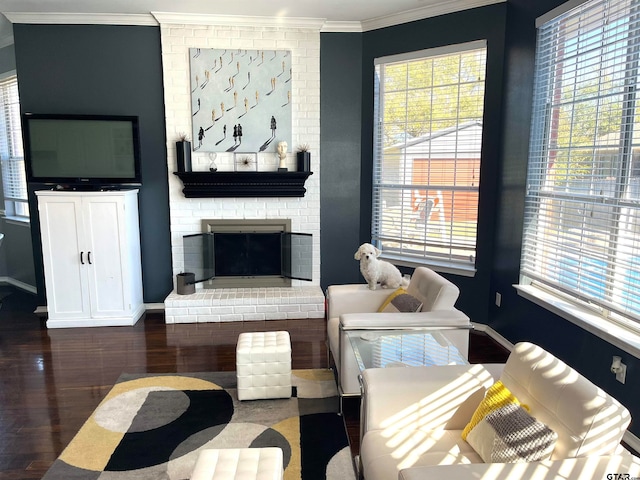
<point x="340" y="182"/>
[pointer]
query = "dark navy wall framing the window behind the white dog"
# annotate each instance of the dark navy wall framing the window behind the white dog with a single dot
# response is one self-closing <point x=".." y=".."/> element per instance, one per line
<point x="488" y="24"/>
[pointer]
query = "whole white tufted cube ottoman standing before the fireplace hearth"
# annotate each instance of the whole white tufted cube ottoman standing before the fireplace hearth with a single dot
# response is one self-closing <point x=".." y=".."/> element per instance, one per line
<point x="263" y="365"/>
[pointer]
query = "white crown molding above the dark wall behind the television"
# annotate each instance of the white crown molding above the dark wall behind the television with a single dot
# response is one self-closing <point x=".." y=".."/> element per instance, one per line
<point x="81" y="18"/>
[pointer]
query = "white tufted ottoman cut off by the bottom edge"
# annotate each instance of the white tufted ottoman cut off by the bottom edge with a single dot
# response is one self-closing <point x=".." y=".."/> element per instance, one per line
<point x="239" y="464"/>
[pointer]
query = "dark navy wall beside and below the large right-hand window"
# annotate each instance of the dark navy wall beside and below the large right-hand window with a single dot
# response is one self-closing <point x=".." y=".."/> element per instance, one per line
<point x="518" y="319"/>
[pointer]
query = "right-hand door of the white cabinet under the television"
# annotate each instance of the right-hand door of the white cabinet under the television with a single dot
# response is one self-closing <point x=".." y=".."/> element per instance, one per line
<point x="105" y="231"/>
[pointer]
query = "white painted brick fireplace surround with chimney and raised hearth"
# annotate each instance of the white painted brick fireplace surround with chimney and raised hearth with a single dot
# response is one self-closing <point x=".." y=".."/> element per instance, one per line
<point x="299" y="299"/>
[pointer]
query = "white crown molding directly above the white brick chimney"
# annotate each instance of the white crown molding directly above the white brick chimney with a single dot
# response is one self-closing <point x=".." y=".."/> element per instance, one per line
<point x="237" y="20"/>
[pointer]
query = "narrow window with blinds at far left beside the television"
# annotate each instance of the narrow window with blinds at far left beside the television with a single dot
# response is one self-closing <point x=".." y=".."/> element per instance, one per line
<point x="11" y="152"/>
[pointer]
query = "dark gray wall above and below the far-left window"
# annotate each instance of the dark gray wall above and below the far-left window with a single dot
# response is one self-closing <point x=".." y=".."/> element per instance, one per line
<point x="16" y="255"/>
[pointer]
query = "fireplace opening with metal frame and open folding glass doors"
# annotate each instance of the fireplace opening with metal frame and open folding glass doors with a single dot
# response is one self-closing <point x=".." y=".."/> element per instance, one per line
<point x="248" y="253"/>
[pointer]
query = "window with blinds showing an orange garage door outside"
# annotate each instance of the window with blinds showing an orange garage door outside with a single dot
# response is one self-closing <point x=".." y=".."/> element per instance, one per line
<point x="427" y="146"/>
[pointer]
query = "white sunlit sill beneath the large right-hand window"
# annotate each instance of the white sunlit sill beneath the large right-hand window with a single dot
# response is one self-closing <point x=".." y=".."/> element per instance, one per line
<point x="623" y="338"/>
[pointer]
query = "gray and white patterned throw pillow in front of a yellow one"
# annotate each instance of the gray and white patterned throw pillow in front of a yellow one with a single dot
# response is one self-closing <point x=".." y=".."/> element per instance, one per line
<point x="509" y="434"/>
